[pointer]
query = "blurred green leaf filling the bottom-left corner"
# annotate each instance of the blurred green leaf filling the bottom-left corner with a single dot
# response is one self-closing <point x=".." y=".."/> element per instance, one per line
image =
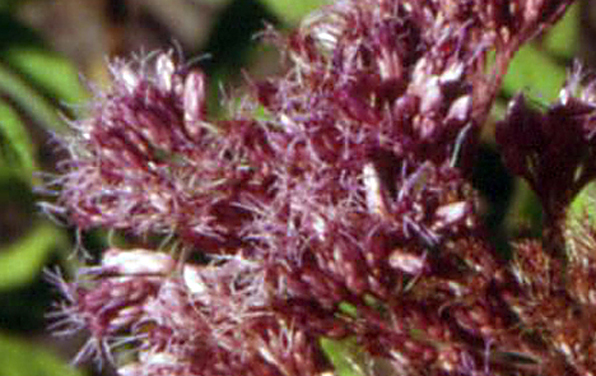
<point x="19" y="358"/>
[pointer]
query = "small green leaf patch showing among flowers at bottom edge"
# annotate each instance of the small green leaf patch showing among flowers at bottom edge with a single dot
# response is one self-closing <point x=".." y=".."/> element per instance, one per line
<point x="347" y="356"/>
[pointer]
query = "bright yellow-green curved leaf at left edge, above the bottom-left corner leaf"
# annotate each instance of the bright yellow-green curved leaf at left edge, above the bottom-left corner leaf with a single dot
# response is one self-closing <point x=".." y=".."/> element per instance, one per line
<point x="23" y="260"/>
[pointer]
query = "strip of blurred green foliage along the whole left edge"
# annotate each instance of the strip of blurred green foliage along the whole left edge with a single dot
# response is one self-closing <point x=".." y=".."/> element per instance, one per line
<point x="36" y="86"/>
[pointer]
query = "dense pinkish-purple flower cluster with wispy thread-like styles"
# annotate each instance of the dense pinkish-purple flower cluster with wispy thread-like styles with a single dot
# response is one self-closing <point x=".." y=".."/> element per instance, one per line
<point x="335" y="202"/>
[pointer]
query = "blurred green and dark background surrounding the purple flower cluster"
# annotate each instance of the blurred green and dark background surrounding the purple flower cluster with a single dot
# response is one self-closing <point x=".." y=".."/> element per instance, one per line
<point x="46" y="46"/>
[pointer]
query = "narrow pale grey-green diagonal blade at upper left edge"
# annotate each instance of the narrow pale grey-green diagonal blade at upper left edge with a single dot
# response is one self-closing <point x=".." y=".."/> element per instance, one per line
<point x="40" y="110"/>
